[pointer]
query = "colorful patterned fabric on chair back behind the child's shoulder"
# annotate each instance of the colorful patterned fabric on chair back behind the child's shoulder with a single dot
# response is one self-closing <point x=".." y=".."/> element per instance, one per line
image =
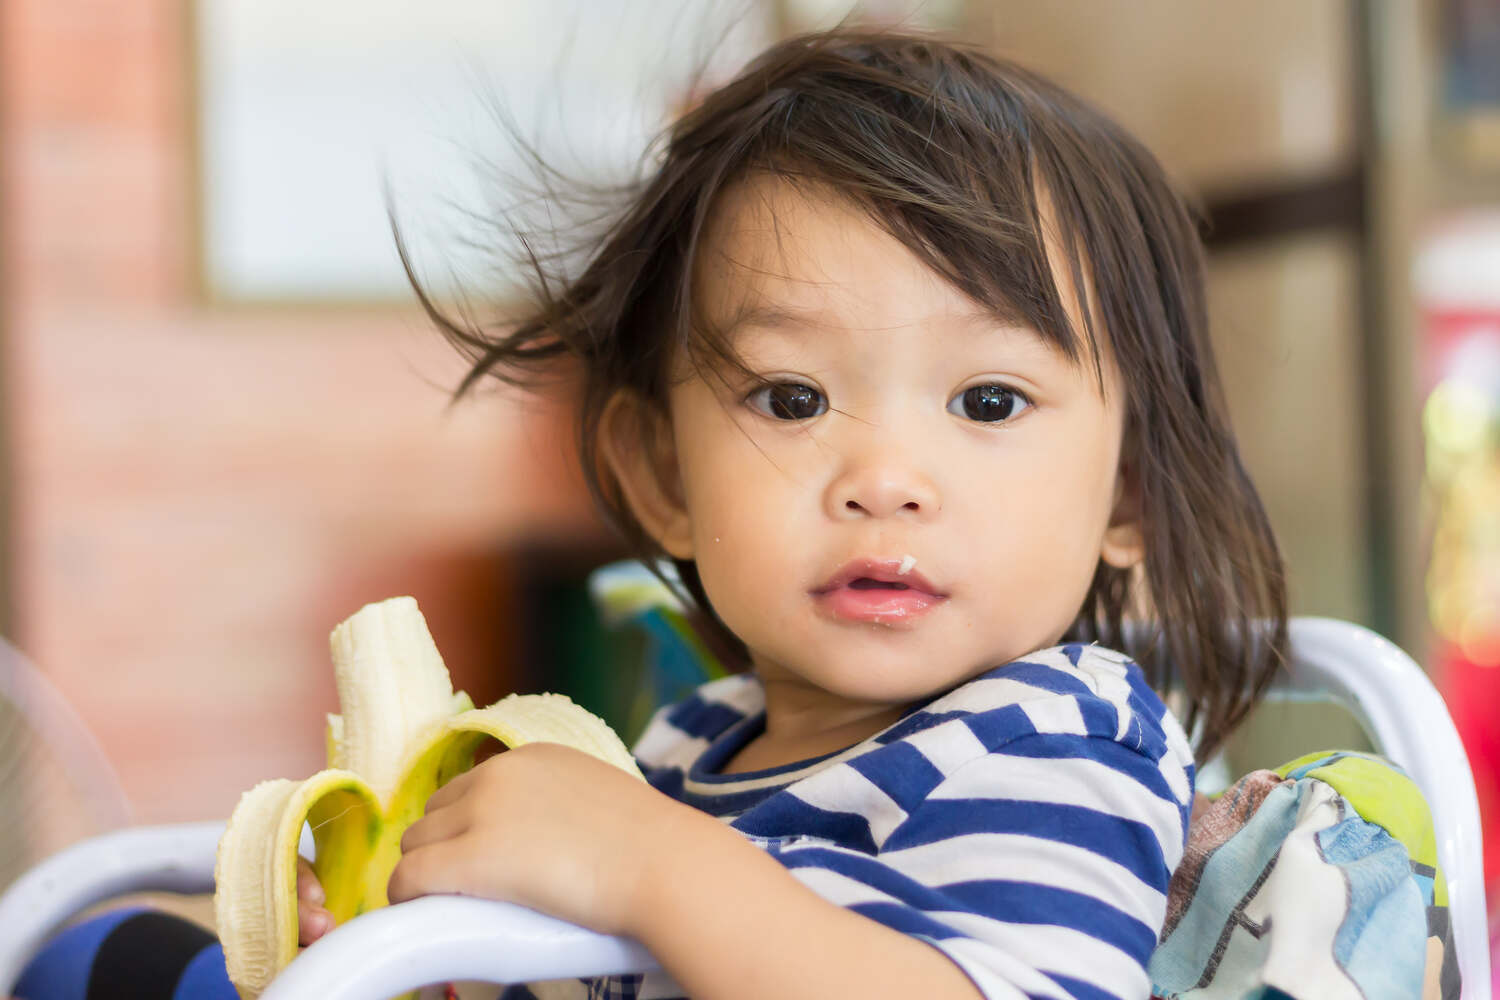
<point x="1315" y="881"/>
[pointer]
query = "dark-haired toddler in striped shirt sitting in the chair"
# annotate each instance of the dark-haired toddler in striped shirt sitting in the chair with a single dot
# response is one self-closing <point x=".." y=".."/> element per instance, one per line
<point x="901" y="358"/>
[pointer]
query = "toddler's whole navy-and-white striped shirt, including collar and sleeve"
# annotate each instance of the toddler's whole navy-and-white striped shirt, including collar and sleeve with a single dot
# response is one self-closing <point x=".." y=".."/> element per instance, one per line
<point x="1025" y="824"/>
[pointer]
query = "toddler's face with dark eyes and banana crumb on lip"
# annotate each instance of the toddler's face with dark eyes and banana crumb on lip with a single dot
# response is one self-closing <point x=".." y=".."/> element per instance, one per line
<point x="910" y="430"/>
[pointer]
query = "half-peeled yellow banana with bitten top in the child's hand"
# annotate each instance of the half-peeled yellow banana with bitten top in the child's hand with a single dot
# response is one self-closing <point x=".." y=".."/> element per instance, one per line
<point x="403" y="734"/>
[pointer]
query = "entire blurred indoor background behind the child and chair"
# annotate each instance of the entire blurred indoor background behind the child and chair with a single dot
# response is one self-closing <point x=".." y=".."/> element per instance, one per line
<point x="226" y="424"/>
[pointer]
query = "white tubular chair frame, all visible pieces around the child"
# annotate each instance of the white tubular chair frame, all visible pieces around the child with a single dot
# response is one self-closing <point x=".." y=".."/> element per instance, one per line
<point x="461" y="939"/>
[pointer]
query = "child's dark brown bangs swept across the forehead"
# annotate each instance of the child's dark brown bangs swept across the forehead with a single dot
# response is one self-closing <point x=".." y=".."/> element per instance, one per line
<point x="983" y="221"/>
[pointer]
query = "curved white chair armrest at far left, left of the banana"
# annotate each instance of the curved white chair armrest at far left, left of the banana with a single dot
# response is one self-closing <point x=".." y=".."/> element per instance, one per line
<point x="176" y="858"/>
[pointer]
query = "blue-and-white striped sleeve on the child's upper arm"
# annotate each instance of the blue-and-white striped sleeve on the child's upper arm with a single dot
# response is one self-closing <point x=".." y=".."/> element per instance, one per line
<point x="1040" y="869"/>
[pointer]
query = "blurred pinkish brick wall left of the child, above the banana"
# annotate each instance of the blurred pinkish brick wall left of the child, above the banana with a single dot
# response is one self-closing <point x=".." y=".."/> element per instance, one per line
<point x="200" y="494"/>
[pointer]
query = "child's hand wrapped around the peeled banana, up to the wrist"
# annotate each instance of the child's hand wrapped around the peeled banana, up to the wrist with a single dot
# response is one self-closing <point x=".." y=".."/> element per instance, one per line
<point x="547" y="827"/>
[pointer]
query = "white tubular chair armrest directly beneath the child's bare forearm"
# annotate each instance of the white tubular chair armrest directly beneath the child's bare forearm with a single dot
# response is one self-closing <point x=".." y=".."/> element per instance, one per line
<point x="448" y="938"/>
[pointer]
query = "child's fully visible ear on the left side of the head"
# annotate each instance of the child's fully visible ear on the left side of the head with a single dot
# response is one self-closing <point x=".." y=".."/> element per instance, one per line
<point x="637" y="445"/>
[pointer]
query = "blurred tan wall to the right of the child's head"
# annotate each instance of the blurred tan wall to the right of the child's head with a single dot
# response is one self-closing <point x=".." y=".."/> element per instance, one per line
<point x="1252" y="97"/>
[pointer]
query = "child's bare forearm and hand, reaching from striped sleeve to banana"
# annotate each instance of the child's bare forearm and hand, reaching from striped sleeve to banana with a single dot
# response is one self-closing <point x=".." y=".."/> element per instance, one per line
<point x="562" y="833"/>
